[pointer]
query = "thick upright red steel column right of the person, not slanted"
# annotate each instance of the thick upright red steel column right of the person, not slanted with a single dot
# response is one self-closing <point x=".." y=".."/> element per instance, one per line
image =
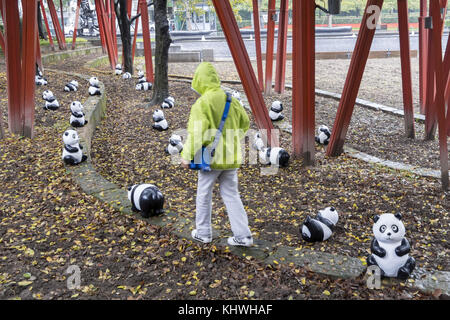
<point x="303" y="74"/>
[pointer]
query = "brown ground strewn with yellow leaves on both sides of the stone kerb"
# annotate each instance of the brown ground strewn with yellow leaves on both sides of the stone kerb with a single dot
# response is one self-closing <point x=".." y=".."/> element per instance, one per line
<point x="47" y="223"/>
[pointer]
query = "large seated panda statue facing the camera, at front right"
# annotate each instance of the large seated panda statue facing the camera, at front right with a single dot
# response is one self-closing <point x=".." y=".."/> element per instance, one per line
<point x="390" y="249"/>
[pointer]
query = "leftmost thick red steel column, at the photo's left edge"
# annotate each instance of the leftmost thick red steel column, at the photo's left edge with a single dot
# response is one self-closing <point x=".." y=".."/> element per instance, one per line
<point x="13" y="65"/>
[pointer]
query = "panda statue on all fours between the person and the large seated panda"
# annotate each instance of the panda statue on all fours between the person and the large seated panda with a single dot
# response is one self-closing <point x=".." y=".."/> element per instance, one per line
<point x="321" y="227"/>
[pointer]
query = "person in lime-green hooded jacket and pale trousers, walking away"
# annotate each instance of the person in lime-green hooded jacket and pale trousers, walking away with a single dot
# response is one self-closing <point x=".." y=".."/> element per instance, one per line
<point x="204" y="120"/>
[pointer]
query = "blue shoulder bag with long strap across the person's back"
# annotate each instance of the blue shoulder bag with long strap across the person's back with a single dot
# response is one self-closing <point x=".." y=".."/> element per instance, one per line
<point x="202" y="159"/>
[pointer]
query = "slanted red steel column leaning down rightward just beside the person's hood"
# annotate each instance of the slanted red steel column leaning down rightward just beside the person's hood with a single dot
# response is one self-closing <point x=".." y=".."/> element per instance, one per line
<point x="245" y="69"/>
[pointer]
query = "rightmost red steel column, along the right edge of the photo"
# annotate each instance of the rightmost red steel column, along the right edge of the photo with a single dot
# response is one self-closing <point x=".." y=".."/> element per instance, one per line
<point x="436" y="35"/>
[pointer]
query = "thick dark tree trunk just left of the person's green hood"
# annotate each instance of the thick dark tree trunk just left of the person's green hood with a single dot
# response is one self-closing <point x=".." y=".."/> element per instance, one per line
<point x="163" y="41"/>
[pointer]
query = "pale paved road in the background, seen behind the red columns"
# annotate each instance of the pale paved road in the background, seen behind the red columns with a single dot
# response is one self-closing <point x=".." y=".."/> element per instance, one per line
<point x="329" y="44"/>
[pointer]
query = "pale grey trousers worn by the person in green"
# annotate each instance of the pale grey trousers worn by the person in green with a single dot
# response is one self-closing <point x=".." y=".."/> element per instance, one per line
<point x="228" y="182"/>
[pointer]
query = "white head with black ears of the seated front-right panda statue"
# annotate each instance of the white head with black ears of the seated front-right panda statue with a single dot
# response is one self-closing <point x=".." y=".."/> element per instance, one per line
<point x="388" y="227"/>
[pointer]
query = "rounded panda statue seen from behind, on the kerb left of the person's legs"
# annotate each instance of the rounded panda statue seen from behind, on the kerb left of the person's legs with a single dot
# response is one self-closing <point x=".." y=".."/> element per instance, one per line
<point x="146" y="199"/>
